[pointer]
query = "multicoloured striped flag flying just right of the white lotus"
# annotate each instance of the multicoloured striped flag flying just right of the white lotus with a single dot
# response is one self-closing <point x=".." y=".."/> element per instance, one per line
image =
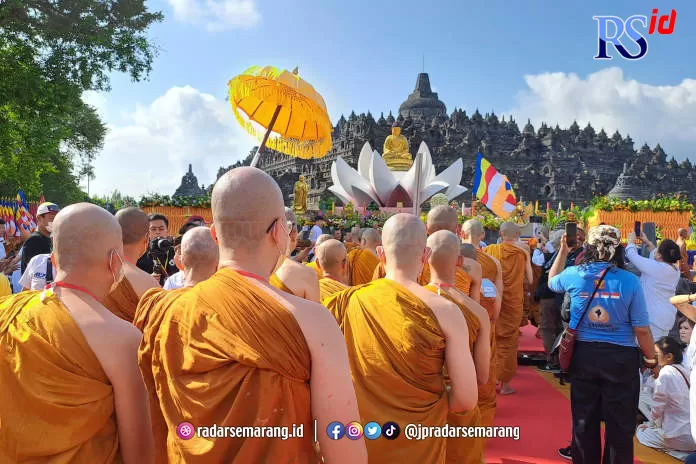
<point x="493" y="188"/>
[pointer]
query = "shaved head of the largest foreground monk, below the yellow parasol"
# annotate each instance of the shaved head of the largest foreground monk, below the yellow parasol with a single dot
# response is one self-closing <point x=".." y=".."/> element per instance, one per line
<point x="249" y="221"/>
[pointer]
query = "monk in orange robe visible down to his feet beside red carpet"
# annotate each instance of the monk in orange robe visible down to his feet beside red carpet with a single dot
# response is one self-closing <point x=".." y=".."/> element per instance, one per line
<point x="517" y="267"/>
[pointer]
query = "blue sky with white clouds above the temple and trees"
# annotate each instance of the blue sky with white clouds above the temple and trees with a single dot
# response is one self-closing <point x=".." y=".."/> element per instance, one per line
<point x="365" y="55"/>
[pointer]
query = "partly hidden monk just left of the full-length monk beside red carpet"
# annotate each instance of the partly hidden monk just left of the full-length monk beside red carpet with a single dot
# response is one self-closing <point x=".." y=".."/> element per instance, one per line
<point x="491" y="299"/>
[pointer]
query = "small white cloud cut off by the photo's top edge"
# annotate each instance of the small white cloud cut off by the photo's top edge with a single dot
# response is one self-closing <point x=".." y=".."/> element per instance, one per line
<point x="217" y="15"/>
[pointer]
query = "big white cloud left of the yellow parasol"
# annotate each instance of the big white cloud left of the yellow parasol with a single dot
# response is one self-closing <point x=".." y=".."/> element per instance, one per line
<point x="152" y="151"/>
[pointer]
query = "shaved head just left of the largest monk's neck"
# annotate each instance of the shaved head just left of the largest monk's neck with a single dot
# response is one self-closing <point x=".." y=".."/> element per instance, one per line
<point x="199" y="255"/>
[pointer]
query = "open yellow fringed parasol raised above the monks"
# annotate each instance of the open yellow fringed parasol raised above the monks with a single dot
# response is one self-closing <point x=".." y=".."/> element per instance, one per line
<point x="268" y="99"/>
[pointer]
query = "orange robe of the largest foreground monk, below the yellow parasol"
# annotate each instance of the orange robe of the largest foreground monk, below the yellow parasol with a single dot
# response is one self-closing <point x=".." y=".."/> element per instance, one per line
<point x="228" y="354"/>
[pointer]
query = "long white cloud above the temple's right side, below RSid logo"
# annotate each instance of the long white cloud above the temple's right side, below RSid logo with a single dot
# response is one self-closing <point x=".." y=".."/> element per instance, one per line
<point x="650" y="114"/>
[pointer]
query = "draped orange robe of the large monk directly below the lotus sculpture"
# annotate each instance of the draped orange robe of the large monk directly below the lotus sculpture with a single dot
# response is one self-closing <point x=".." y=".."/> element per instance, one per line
<point x="396" y="350"/>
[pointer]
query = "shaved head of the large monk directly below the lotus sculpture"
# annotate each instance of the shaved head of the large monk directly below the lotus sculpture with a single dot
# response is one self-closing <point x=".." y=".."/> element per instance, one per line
<point x="403" y="247"/>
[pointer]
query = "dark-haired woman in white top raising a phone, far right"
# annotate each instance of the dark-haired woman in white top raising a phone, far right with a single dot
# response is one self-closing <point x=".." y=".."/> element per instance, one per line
<point x="658" y="278"/>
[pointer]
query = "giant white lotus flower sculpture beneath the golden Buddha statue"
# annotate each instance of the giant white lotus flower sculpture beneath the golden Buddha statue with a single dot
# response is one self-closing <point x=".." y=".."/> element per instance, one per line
<point x="374" y="181"/>
